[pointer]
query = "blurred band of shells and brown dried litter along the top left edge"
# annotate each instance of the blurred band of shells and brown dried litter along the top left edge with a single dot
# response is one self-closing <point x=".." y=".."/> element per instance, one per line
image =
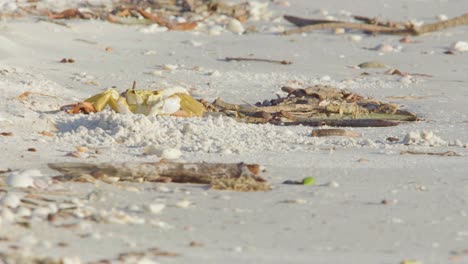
<point x="170" y="15"/>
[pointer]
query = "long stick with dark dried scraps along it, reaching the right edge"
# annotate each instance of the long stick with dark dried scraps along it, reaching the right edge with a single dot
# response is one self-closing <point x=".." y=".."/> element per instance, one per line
<point x="374" y="26"/>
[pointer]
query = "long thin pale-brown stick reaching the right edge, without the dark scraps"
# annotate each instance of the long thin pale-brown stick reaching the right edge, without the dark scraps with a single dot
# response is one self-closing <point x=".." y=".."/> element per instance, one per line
<point x="454" y="22"/>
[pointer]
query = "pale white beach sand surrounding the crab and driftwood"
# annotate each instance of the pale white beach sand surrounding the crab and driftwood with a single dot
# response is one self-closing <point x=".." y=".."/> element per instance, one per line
<point x="426" y="212"/>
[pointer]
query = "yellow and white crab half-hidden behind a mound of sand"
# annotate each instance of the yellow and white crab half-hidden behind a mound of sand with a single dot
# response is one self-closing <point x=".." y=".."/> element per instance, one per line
<point x="174" y="101"/>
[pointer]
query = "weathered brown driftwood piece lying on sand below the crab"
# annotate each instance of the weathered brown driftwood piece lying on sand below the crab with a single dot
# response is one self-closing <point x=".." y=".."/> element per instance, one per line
<point x="223" y="176"/>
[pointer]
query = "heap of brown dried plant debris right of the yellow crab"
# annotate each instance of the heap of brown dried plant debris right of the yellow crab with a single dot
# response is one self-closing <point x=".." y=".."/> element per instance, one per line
<point x="318" y="105"/>
